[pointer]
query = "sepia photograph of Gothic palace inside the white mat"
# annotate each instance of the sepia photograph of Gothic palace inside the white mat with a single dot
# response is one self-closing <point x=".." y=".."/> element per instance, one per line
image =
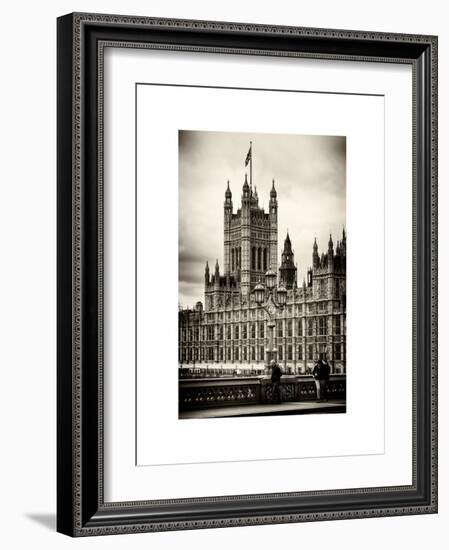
<point x="262" y="274"/>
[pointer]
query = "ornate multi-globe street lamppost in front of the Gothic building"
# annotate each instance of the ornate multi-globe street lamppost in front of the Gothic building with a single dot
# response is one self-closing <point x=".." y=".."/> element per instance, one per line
<point x="272" y="300"/>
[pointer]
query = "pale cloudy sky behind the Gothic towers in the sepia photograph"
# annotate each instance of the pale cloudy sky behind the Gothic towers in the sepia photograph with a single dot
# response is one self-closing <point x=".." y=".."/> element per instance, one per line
<point x="310" y="179"/>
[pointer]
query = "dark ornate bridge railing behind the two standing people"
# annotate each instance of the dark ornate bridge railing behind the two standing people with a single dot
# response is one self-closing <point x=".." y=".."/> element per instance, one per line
<point x="200" y="393"/>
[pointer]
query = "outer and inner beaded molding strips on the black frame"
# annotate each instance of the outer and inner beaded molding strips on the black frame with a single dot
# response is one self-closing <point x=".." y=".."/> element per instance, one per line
<point x="79" y="21"/>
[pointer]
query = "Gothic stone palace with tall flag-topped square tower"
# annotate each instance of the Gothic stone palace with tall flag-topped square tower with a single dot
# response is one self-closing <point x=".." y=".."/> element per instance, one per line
<point x="230" y="332"/>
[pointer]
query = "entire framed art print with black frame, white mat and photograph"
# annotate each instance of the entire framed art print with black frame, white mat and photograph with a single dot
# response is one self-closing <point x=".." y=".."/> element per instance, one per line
<point x="247" y="280"/>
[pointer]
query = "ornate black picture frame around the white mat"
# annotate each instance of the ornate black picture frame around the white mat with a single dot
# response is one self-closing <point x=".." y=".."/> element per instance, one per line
<point x="81" y="510"/>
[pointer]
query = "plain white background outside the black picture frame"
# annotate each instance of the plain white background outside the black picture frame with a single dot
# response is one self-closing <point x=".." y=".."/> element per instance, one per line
<point x="28" y="306"/>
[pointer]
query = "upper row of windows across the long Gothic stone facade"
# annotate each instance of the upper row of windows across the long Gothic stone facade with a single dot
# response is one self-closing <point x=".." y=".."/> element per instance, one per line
<point x="241" y="331"/>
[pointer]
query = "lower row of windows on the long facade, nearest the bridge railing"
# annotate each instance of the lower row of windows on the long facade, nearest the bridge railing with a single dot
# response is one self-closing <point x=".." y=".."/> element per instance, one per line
<point x="257" y="353"/>
